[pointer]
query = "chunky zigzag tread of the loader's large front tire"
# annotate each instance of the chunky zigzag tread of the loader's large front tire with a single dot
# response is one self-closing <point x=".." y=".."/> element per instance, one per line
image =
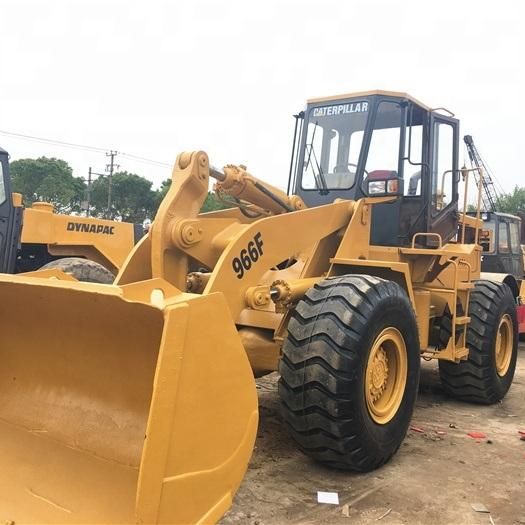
<point x="319" y="365"/>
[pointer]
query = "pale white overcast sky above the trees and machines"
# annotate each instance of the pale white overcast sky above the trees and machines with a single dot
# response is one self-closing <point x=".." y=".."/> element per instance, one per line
<point x="154" y="78"/>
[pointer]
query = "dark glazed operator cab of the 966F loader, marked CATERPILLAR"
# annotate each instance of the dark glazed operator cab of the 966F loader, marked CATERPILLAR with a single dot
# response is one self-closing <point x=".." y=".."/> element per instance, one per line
<point x="347" y="142"/>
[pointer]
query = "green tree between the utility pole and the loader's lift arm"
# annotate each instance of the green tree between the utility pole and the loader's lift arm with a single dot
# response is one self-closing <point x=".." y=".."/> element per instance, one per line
<point x="132" y="199"/>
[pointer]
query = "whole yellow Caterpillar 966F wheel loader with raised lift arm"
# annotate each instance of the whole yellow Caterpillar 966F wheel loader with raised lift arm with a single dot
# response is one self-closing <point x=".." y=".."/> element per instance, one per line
<point x="136" y="402"/>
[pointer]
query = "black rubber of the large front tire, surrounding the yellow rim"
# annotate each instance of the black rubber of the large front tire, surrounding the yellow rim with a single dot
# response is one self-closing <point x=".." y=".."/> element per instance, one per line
<point x="322" y="387"/>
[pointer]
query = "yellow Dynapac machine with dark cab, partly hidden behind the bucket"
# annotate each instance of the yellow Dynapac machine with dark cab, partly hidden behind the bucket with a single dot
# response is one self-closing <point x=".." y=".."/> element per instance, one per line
<point x="36" y="238"/>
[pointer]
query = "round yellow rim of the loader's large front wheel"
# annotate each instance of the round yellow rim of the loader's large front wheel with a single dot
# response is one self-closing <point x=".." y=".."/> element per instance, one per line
<point x="386" y="375"/>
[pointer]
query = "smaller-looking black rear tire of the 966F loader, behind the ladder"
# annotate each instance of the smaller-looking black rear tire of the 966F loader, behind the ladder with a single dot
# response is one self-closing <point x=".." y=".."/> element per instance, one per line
<point x="477" y="379"/>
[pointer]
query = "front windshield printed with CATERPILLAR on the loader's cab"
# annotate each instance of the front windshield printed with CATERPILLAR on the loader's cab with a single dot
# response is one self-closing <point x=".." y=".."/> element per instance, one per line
<point x="334" y="137"/>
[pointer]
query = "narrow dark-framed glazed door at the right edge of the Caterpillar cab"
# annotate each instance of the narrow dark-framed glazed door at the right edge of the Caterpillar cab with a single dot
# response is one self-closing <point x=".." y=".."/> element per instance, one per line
<point x="444" y="175"/>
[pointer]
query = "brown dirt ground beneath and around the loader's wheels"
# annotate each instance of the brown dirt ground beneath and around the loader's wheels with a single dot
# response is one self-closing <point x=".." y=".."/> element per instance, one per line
<point x="434" y="478"/>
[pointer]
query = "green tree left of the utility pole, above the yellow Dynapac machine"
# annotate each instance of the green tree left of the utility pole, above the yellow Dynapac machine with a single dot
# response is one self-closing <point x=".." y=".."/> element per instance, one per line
<point x="50" y="180"/>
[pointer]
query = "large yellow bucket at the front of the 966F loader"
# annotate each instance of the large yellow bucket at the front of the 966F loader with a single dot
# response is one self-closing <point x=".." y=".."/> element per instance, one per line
<point x="118" y="405"/>
